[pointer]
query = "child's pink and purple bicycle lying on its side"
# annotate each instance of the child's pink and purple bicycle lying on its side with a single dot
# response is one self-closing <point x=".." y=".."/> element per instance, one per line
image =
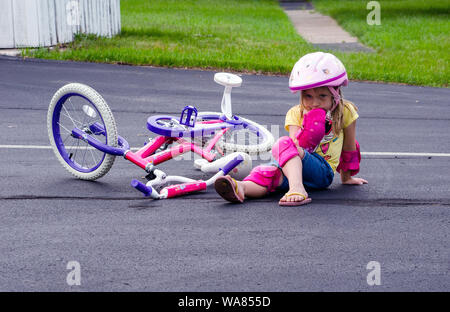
<point x="84" y="137"/>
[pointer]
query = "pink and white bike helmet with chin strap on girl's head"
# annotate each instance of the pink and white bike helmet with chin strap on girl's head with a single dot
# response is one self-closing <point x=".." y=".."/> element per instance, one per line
<point x="318" y="69"/>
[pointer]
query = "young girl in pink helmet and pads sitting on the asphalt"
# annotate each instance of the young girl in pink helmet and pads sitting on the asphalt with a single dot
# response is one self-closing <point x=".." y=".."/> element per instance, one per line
<point x="321" y="141"/>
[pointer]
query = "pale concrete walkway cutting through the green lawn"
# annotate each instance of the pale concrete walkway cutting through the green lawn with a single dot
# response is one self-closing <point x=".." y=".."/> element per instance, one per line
<point x="320" y="30"/>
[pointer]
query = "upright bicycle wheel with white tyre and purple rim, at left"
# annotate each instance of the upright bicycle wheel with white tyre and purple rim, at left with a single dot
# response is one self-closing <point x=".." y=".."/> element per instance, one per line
<point x="78" y="105"/>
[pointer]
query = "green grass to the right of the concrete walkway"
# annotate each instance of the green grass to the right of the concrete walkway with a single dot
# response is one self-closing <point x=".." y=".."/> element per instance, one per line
<point x="412" y="42"/>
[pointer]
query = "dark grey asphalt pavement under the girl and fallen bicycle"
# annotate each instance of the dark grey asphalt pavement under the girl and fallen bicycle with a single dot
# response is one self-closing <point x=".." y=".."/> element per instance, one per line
<point x="124" y="242"/>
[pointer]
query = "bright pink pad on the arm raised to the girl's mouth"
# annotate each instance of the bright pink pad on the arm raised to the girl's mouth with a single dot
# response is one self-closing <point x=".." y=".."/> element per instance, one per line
<point x="313" y="129"/>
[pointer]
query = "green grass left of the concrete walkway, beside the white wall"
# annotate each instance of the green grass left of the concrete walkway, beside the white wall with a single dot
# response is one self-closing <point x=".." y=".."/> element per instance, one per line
<point x="233" y="34"/>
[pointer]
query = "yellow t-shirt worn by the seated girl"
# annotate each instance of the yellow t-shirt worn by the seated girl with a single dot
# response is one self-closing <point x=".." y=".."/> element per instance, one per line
<point x="330" y="150"/>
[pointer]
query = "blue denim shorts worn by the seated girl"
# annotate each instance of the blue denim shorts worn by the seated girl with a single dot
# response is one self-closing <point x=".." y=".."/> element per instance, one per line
<point x="317" y="173"/>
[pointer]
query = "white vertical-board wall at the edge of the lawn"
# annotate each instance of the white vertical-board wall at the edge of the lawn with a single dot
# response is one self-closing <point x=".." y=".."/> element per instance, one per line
<point x="33" y="23"/>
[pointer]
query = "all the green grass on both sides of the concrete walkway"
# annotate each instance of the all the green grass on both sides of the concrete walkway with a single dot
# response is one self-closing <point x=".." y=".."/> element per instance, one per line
<point x="412" y="42"/>
